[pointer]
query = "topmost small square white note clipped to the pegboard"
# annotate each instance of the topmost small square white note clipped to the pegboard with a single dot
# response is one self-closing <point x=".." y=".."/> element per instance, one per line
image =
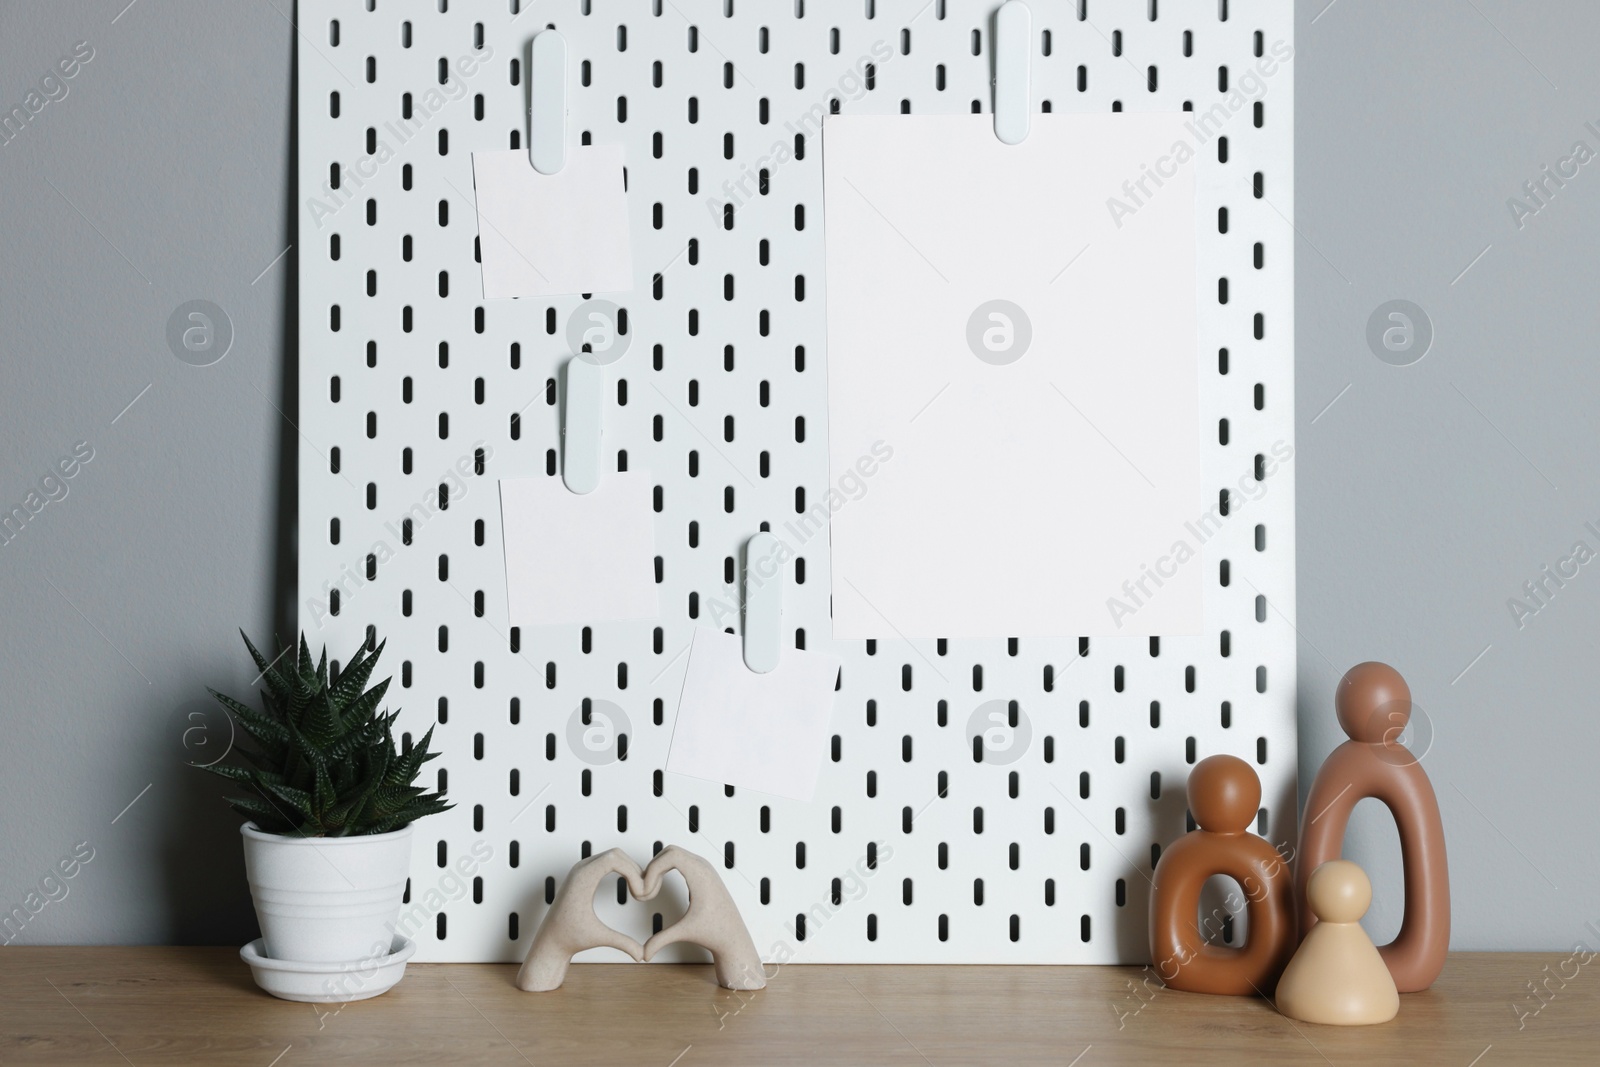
<point x="553" y="234"/>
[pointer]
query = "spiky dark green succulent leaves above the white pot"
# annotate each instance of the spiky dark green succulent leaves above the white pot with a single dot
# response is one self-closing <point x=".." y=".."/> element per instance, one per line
<point x="326" y="761"/>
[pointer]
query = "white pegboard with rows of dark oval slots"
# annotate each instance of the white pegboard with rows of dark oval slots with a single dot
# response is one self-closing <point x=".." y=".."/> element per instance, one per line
<point x="417" y="396"/>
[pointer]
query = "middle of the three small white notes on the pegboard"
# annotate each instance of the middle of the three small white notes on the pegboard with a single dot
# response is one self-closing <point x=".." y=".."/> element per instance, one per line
<point x="580" y="559"/>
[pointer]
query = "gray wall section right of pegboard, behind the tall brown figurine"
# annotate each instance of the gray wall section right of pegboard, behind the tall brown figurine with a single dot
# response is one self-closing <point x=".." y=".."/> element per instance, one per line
<point x="1431" y="494"/>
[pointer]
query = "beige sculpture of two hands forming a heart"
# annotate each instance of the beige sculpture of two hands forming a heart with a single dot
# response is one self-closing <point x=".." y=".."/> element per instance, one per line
<point x="711" y="921"/>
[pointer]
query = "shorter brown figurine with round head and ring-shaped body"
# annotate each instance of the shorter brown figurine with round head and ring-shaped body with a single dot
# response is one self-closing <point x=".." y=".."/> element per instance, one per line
<point x="1223" y="797"/>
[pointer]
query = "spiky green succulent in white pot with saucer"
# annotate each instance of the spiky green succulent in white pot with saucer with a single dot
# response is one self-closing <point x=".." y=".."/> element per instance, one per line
<point x="329" y="812"/>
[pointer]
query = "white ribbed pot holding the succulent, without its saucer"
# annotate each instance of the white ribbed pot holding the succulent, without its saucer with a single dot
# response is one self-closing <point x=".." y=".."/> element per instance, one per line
<point x="327" y="900"/>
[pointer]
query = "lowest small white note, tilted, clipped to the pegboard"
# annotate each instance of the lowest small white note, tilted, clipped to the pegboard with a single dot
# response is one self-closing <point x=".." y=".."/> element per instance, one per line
<point x="754" y="732"/>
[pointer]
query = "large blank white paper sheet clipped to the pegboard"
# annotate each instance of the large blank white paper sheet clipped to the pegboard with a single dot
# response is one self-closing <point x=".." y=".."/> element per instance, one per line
<point x="1015" y="327"/>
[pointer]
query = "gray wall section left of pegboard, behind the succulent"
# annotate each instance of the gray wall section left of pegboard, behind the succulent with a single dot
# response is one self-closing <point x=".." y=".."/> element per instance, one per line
<point x="162" y="177"/>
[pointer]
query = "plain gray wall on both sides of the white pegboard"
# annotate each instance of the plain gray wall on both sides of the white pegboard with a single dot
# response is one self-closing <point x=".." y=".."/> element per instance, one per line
<point x="1428" y="494"/>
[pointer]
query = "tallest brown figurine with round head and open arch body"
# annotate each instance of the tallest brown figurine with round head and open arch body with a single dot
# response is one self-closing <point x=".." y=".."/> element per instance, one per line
<point x="1375" y="706"/>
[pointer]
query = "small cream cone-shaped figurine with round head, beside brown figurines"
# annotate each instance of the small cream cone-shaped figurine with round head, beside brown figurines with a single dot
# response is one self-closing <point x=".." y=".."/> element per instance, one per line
<point x="1337" y="977"/>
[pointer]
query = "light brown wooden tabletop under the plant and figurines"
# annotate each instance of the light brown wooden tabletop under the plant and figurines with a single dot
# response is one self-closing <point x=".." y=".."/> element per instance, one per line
<point x="199" y="1007"/>
